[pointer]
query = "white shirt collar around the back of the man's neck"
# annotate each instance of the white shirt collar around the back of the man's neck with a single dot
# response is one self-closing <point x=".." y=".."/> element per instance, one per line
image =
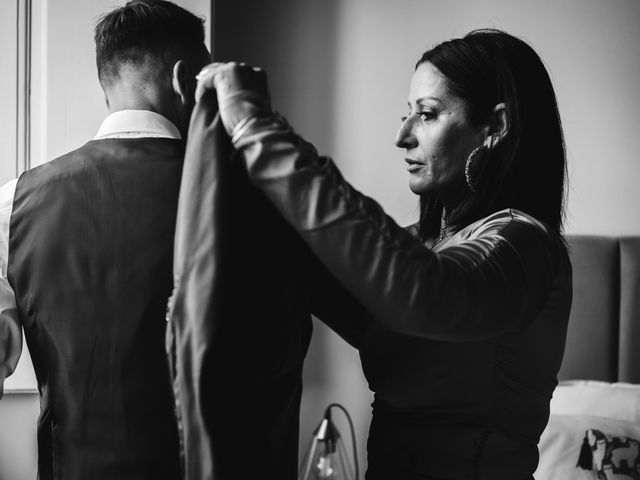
<point x="136" y="124"/>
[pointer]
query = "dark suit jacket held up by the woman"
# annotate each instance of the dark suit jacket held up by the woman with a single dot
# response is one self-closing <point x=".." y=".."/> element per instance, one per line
<point x="239" y="319"/>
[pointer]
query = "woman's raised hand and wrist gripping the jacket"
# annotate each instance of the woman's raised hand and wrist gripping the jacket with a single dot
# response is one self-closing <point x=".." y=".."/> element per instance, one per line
<point x="241" y="89"/>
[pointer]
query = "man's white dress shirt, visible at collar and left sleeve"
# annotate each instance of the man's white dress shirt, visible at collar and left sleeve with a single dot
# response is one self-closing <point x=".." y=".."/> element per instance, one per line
<point x="122" y="124"/>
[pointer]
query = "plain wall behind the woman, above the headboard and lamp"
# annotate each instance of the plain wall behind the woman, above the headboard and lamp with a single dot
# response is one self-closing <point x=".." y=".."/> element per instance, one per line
<point x="340" y="69"/>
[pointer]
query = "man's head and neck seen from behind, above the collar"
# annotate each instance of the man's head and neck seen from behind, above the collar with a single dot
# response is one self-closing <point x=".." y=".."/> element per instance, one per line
<point x="148" y="53"/>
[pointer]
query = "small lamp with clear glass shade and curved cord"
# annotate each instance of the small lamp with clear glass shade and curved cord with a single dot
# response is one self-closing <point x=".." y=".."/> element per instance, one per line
<point x="326" y="457"/>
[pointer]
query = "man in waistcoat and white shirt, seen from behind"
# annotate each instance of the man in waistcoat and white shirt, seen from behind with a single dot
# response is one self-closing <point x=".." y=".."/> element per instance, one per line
<point x="86" y="246"/>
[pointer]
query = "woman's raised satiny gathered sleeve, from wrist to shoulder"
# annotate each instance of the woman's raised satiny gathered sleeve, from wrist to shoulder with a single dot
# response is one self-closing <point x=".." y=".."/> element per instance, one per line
<point x="487" y="285"/>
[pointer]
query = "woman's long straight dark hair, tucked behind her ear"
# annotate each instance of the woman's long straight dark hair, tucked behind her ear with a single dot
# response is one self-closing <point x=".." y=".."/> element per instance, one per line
<point x="527" y="169"/>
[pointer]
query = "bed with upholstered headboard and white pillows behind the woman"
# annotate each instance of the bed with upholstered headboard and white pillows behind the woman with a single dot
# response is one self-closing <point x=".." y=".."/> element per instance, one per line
<point x="594" y="427"/>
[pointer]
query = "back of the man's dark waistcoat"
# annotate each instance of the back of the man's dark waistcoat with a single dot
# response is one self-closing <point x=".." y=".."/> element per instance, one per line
<point x="90" y="259"/>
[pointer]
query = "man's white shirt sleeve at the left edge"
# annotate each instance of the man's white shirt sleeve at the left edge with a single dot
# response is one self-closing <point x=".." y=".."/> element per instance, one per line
<point x="10" y="329"/>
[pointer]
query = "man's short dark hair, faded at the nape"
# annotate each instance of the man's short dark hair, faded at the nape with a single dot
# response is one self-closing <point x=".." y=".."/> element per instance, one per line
<point x="142" y="29"/>
